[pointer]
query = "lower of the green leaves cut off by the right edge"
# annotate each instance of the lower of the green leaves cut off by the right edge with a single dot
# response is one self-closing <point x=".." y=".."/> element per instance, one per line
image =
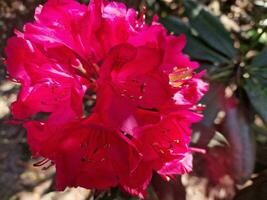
<point x="257" y="94"/>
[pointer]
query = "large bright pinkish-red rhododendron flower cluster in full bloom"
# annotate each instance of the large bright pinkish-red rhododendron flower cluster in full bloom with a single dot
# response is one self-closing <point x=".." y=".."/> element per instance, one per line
<point x="118" y="94"/>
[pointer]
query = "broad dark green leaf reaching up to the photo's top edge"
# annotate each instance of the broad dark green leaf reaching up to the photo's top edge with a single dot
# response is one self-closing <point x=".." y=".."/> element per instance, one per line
<point x="209" y="28"/>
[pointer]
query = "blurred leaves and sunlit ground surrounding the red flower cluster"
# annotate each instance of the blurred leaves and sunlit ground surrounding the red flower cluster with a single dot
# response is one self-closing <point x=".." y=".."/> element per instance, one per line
<point x="229" y="39"/>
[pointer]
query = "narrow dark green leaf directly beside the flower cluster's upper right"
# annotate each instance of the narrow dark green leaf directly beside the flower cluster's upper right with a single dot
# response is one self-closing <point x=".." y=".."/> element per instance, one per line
<point x="194" y="47"/>
